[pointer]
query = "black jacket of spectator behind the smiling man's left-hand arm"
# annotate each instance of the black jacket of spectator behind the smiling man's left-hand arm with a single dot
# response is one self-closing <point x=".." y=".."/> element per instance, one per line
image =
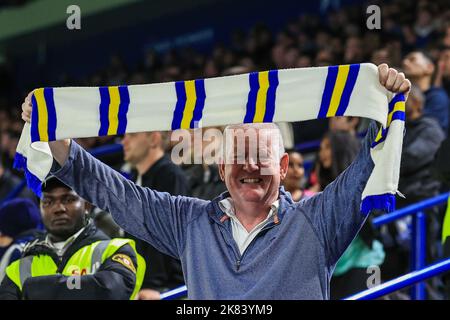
<point x="162" y="272"/>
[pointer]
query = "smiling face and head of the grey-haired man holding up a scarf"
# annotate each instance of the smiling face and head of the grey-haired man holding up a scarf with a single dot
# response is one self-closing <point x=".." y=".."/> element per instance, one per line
<point x="253" y="170"/>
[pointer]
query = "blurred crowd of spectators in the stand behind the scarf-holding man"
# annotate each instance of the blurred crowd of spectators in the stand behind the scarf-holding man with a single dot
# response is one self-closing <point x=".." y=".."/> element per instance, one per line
<point x="414" y="38"/>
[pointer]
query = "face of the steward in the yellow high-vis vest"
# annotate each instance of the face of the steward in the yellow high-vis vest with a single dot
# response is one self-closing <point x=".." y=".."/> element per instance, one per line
<point x="63" y="212"/>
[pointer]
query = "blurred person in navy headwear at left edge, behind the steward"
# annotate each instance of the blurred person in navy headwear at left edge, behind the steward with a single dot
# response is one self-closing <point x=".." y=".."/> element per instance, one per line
<point x="20" y="222"/>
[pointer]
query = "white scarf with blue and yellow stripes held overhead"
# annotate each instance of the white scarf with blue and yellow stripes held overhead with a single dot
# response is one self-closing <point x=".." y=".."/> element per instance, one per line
<point x="269" y="96"/>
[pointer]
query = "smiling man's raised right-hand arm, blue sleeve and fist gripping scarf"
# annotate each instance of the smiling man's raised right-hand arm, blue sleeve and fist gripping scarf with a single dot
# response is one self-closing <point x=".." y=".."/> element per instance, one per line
<point x="335" y="213"/>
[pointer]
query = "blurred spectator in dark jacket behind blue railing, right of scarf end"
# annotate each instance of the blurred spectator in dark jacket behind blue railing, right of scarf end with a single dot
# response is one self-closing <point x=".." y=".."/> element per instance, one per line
<point x="422" y="139"/>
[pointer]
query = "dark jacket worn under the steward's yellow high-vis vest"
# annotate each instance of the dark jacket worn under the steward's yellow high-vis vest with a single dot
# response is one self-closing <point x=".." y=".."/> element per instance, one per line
<point x="111" y="281"/>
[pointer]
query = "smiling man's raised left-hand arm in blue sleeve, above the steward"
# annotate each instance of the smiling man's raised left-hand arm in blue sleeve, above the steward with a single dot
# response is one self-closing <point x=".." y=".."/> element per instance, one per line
<point x="156" y="217"/>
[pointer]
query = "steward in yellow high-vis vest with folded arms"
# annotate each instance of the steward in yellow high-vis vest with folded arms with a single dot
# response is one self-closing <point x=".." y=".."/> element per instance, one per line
<point x="75" y="260"/>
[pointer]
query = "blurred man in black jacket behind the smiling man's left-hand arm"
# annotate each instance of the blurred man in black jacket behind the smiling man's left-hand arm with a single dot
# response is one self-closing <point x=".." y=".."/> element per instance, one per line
<point x="145" y="151"/>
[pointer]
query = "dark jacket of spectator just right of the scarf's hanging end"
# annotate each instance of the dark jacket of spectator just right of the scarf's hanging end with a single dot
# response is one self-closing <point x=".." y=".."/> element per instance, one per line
<point x="420" y="144"/>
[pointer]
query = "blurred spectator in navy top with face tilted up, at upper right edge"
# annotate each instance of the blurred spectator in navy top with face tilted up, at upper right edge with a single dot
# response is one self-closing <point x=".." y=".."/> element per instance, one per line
<point x="419" y="68"/>
